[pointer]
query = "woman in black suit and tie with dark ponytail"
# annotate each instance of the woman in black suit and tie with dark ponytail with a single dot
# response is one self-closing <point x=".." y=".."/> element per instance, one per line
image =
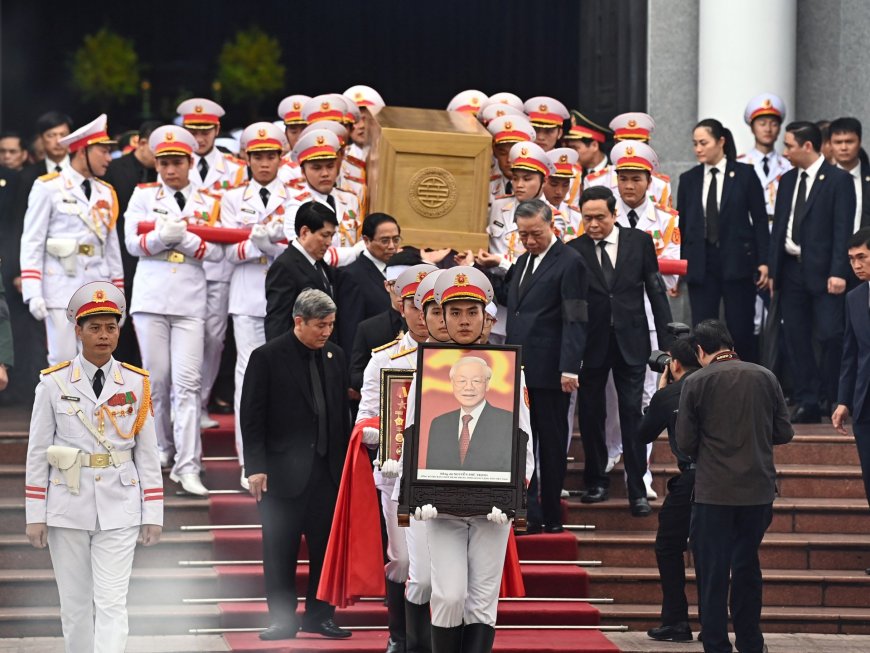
<point x="723" y="223"/>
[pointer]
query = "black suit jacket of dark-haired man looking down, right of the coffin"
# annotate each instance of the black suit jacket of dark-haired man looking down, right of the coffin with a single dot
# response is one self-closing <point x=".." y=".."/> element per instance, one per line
<point x="636" y="271"/>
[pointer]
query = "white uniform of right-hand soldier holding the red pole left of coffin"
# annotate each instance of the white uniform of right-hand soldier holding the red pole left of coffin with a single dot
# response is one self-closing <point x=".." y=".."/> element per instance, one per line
<point x="242" y="208"/>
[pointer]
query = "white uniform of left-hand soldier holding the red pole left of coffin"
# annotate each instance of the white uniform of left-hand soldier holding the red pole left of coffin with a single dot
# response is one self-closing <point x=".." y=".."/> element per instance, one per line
<point x="170" y="325"/>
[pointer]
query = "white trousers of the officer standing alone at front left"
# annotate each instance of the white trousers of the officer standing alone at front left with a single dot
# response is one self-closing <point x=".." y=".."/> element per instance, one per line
<point x="92" y="569"/>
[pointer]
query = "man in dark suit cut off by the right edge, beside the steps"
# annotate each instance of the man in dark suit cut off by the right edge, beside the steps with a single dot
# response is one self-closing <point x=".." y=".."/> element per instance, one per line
<point x="854" y="397"/>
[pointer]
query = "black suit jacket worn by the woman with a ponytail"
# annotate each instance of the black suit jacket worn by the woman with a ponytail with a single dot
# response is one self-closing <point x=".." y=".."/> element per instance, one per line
<point x="744" y="235"/>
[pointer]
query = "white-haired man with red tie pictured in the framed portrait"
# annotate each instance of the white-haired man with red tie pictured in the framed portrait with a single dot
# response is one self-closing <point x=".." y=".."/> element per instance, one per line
<point x="476" y="436"/>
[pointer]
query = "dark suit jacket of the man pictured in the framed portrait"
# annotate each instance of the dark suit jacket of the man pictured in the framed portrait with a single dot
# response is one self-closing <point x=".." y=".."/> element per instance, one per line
<point x="489" y="449"/>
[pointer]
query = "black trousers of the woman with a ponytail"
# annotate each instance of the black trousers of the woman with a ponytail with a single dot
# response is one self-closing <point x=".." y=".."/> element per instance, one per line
<point x="739" y="299"/>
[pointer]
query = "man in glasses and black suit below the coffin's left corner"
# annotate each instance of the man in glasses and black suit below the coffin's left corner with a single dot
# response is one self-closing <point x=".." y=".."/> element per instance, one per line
<point x="360" y="292"/>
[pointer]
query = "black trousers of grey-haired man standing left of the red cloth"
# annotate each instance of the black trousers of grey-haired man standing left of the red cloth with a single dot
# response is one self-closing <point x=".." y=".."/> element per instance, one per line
<point x="285" y="520"/>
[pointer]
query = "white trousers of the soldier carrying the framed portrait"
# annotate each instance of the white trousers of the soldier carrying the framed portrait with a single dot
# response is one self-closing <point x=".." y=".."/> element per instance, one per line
<point x="467" y="563"/>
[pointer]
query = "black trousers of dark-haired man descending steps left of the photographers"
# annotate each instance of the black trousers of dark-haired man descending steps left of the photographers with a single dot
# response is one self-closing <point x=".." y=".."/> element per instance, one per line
<point x="592" y="409"/>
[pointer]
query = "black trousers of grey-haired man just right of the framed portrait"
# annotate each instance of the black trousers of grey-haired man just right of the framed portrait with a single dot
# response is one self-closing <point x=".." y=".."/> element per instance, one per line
<point x="549" y="412"/>
